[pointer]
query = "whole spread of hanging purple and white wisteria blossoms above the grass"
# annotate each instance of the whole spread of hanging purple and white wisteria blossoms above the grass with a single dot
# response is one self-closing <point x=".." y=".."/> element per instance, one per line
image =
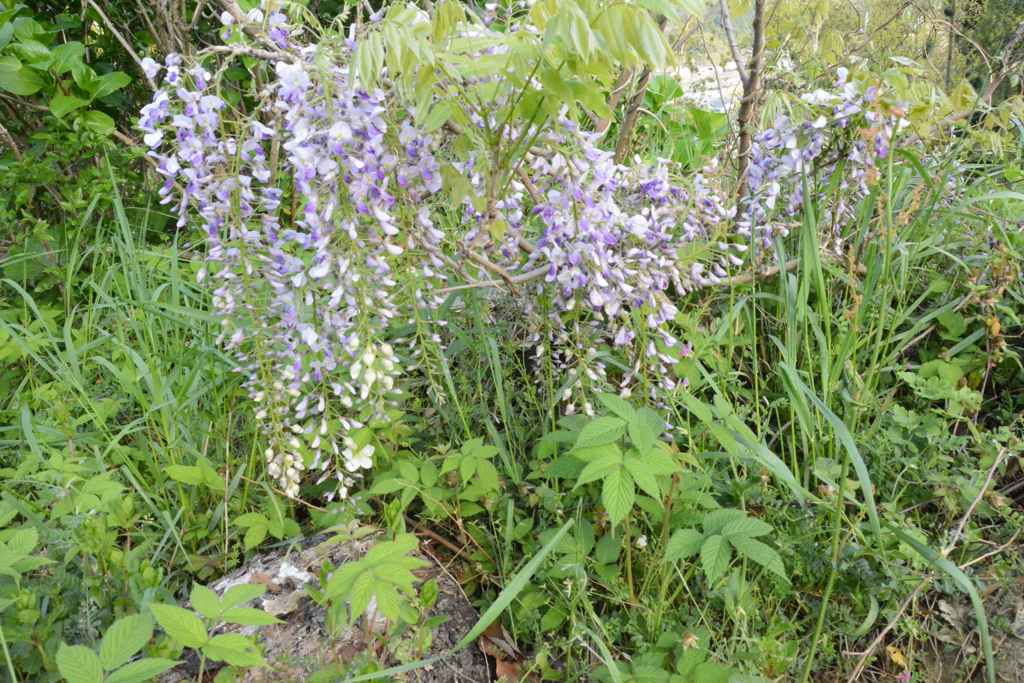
<point x="322" y="211"/>
